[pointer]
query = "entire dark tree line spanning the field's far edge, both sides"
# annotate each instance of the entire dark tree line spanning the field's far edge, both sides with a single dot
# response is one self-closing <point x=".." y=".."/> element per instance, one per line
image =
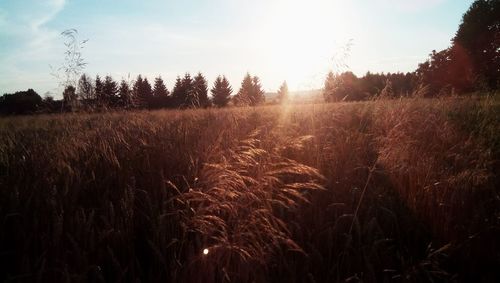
<point x="471" y="63"/>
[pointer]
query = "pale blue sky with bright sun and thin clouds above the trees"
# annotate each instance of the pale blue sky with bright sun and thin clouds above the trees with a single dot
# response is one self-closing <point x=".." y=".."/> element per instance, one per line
<point x="294" y="40"/>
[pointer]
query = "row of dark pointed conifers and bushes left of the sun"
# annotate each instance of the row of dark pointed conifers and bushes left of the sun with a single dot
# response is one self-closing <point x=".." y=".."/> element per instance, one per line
<point x="100" y="94"/>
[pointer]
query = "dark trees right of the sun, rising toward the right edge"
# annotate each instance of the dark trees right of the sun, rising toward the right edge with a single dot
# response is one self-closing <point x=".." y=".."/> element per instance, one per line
<point x="470" y="64"/>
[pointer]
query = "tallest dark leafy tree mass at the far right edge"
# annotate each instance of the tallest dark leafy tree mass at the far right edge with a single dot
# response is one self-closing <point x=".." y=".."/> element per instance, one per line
<point x="472" y="62"/>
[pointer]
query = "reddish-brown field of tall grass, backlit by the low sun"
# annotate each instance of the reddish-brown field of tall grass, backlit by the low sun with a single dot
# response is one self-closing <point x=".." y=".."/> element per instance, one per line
<point x="383" y="191"/>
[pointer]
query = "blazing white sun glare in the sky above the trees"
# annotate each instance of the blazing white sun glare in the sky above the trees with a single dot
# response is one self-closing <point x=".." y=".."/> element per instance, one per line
<point x="301" y="37"/>
